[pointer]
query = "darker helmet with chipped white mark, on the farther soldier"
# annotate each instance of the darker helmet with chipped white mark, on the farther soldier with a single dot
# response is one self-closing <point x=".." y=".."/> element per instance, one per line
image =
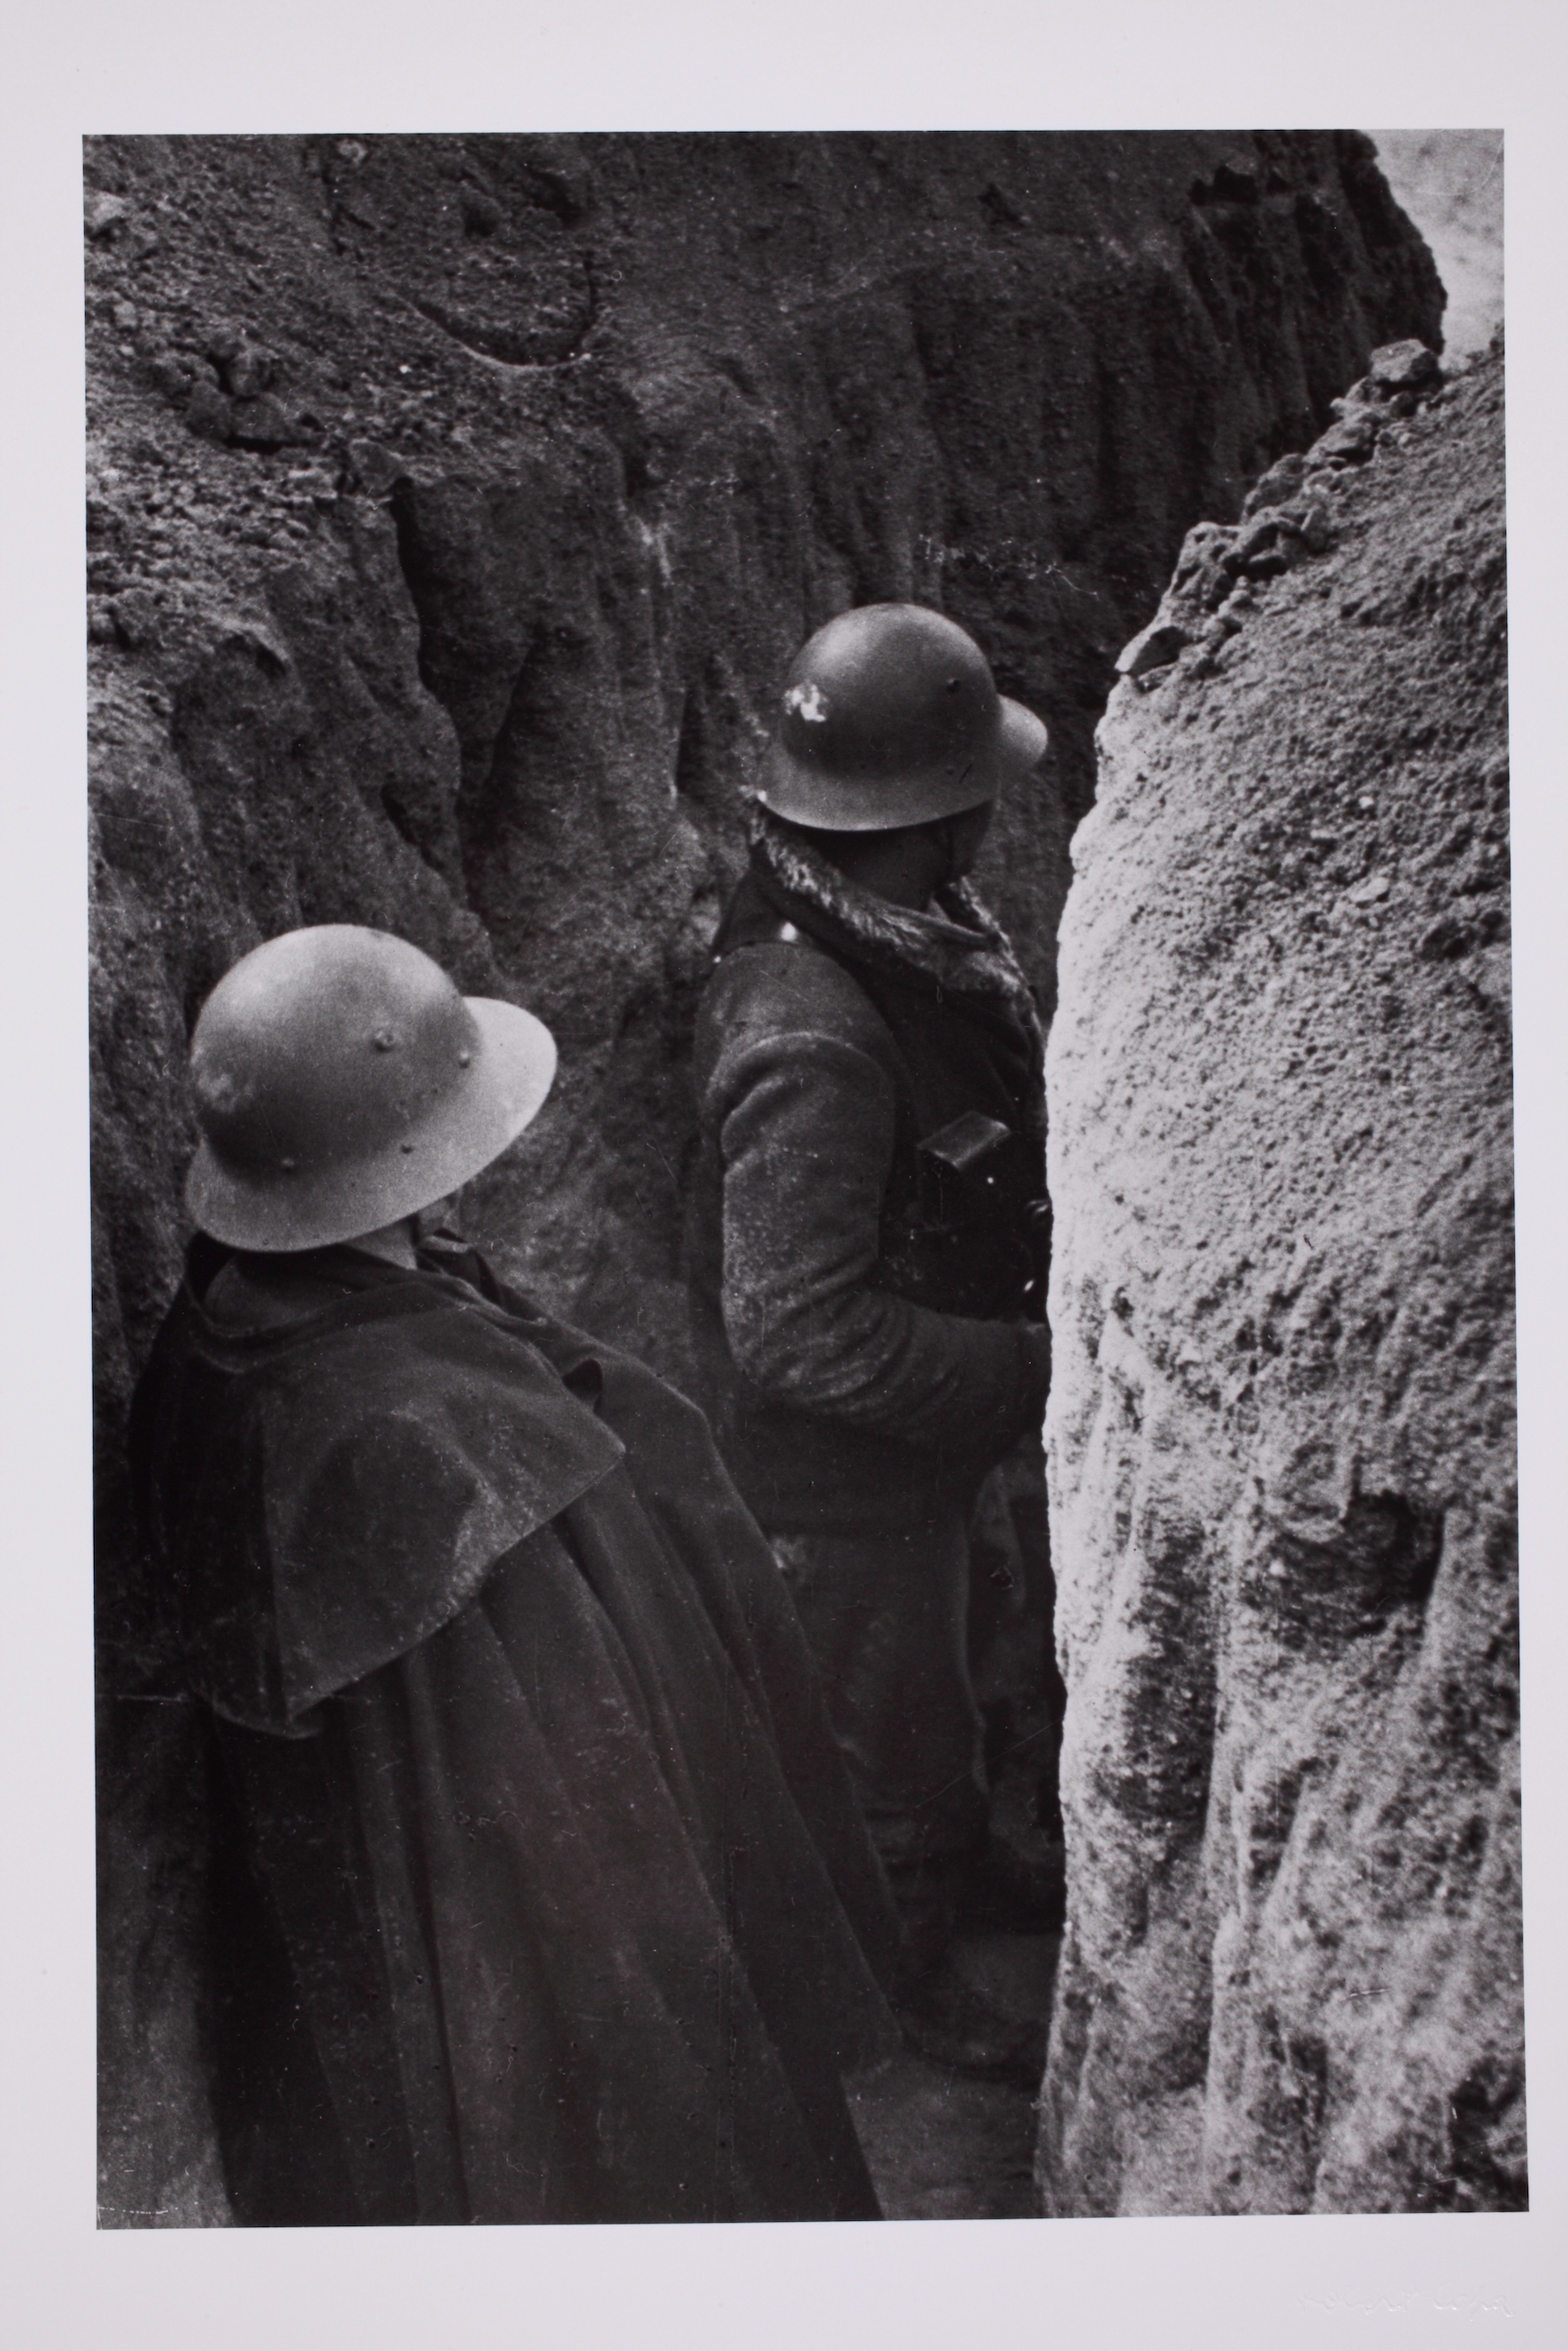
<point x="890" y="718"/>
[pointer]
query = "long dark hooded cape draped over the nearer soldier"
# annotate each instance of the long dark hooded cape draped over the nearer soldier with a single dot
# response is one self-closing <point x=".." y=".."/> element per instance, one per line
<point x="537" y="1891"/>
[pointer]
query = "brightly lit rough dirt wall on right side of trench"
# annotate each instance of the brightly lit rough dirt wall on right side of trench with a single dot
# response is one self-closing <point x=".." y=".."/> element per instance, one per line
<point x="1282" y="1428"/>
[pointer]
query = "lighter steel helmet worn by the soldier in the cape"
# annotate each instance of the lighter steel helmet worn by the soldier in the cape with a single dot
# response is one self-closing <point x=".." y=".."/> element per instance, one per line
<point x="342" y="1083"/>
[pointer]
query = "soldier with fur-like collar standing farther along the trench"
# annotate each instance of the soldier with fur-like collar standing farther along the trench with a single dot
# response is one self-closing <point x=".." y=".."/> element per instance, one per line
<point x="869" y="1191"/>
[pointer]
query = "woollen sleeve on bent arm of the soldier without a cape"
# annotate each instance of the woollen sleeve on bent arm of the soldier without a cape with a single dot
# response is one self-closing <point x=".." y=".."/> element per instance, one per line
<point x="808" y="1144"/>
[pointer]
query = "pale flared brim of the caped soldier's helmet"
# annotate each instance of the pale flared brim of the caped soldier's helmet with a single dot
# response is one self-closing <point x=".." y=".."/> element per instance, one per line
<point x="316" y="1207"/>
